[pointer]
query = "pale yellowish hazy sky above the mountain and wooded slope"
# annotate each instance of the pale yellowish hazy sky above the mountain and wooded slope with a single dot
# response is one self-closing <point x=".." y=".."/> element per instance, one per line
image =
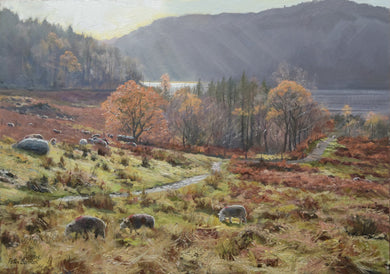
<point x="105" y="19"/>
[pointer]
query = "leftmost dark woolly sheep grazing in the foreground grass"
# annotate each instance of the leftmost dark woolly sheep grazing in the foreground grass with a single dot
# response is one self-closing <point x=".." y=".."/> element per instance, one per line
<point x="84" y="224"/>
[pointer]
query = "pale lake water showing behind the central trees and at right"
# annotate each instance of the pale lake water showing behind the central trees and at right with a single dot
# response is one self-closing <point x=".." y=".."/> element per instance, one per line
<point x="361" y="101"/>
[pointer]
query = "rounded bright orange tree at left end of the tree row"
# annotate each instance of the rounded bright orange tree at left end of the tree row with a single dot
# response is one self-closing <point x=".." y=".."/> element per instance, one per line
<point x="136" y="110"/>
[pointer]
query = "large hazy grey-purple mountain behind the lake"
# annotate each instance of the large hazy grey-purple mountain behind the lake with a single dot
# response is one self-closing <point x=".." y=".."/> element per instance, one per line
<point x="340" y="43"/>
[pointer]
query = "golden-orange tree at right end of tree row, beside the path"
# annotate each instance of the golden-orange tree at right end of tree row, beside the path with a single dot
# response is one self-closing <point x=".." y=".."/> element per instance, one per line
<point x="294" y="110"/>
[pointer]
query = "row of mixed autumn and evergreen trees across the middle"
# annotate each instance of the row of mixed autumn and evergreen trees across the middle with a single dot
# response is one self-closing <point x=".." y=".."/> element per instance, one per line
<point x="228" y="113"/>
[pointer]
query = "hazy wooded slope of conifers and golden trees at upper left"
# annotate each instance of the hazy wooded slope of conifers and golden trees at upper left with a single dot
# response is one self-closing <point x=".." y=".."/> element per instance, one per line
<point x="41" y="55"/>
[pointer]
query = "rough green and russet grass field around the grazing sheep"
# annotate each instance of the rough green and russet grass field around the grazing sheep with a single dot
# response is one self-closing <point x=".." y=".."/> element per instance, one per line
<point x="327" y="216"/>
